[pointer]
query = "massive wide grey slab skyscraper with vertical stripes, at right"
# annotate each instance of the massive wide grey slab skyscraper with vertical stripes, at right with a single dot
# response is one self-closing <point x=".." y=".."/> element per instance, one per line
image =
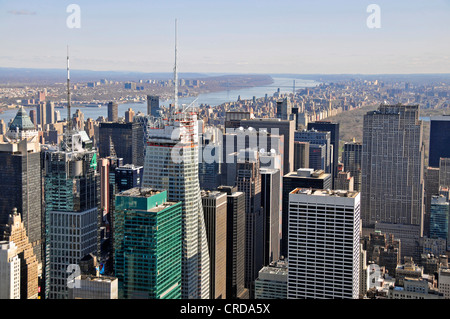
<point x="392" y="173"/>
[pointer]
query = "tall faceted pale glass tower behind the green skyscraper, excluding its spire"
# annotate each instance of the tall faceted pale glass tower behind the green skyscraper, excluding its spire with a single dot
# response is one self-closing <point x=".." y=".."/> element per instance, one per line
<point x="171" y="163"/>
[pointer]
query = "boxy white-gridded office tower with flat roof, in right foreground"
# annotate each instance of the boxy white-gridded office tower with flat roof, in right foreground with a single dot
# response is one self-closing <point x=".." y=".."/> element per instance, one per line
<point x="323" y="244"/>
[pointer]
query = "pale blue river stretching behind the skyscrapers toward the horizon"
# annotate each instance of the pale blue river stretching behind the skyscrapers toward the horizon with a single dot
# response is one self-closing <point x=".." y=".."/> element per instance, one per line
<point x="213" y="98"/>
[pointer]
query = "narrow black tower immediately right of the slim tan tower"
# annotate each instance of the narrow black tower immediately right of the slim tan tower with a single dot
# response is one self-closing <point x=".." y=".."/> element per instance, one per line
<point x="235" y="243"/>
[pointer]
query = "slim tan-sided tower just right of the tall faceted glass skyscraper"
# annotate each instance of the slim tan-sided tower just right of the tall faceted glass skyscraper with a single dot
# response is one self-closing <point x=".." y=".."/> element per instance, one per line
<point x="215" y="211"/>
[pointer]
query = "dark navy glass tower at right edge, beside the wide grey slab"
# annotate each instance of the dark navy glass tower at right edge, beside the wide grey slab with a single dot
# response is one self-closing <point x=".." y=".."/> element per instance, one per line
<point x="439" y="139"/>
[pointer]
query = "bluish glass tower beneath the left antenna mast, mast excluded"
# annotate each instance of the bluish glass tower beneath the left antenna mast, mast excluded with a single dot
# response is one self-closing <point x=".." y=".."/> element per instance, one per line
<point x="72" y="208"/>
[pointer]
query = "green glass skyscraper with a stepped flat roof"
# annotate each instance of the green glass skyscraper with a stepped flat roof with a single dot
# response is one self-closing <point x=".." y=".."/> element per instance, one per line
<point x="147" y="245"/>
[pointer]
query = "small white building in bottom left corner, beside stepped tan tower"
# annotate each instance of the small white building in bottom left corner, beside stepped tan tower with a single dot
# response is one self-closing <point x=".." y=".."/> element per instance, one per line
<point x="9" y="271"/>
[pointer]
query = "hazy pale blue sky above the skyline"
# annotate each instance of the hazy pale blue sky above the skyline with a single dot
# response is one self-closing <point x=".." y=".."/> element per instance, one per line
<point x="245" y="36"/>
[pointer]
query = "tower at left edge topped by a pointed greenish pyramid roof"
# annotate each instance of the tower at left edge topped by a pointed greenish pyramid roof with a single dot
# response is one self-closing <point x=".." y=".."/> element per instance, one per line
<point x="21" y="178"/>
